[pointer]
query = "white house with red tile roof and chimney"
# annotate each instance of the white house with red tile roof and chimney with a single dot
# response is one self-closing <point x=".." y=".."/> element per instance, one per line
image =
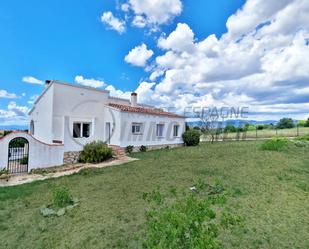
<point x="74" y="115"/>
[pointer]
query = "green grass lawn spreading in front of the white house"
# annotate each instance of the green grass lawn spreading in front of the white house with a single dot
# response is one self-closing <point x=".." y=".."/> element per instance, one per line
<point x="269" y="190"/>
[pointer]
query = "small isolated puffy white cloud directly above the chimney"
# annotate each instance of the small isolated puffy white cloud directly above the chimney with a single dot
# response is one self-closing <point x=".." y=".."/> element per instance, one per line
<point x="139" y="55"/>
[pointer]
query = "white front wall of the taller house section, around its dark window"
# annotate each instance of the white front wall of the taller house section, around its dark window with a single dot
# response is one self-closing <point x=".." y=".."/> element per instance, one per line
<point x="81" y="105"/>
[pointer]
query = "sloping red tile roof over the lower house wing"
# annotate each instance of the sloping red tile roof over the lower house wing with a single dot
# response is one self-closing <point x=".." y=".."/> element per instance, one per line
<point x="150" y="111"/>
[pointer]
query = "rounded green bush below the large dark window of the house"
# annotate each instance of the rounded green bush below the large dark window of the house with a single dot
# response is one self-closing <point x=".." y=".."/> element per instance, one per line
<point x="95" y="152"/>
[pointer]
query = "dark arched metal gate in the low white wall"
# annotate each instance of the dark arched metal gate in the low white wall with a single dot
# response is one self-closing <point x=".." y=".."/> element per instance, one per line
<point x="18" y="155"/>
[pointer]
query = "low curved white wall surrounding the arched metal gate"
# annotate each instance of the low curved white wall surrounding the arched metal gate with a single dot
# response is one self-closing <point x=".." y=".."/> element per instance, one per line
<point x="41" y="155"/>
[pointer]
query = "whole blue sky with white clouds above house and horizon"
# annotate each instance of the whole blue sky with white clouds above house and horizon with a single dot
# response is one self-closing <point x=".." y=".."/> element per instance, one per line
<point x="64" y="39"/>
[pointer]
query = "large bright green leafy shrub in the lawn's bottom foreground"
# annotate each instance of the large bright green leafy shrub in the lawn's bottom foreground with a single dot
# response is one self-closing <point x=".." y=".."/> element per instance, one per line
<point x="187" y="222"/>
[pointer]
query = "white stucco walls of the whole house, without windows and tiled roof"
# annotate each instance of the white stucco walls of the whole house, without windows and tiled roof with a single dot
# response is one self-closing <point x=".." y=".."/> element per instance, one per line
<point x="63" y="104"/>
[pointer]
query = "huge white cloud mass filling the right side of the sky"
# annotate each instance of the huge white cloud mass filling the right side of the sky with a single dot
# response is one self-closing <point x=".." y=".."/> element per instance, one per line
<point x="262" y="62"/>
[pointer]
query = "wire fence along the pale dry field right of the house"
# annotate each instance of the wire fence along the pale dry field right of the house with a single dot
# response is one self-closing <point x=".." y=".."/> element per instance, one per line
<point x="221" y="134"/>
